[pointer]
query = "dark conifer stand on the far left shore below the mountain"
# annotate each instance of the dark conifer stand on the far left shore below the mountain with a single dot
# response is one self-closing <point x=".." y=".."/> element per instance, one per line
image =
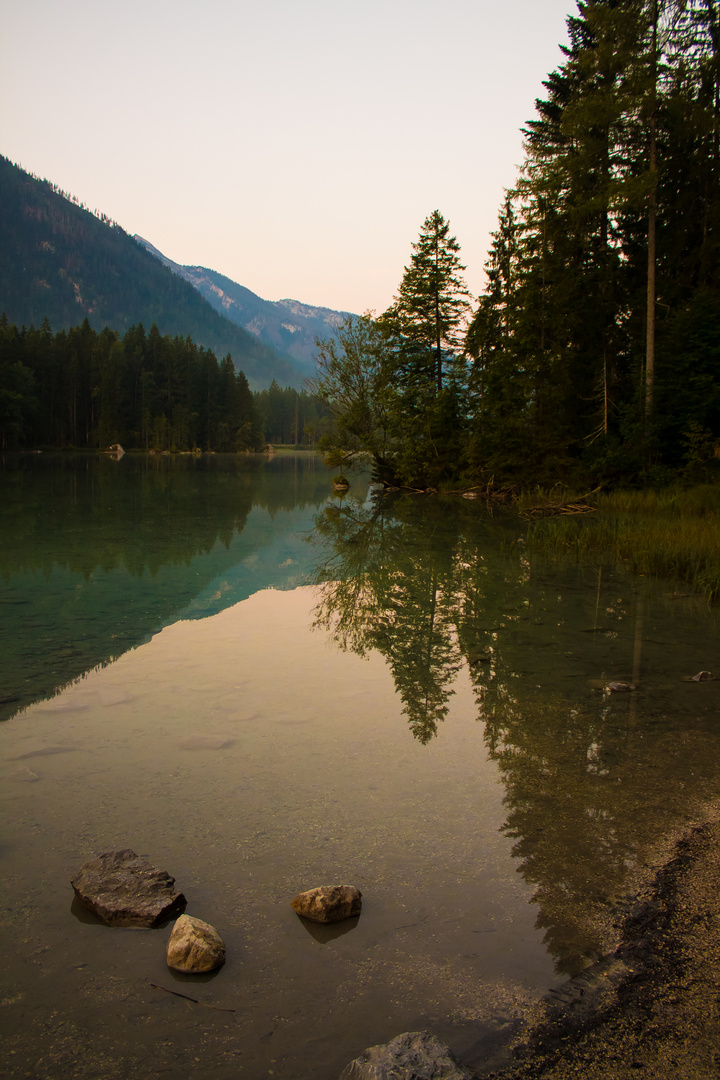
<point x="87" y="389"/>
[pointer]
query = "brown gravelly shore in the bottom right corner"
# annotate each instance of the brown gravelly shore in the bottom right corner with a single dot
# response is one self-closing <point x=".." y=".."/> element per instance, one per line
<point x="653" y="1007"/>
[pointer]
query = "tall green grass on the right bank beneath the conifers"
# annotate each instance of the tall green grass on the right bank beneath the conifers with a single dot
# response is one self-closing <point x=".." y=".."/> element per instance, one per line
<point x="667" y="533"/>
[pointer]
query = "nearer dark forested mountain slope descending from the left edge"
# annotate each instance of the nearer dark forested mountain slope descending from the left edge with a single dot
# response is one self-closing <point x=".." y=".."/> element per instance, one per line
<point x="61" y="262"/>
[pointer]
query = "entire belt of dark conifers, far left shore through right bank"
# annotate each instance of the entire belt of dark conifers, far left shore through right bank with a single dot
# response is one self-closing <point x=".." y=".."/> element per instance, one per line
<point x="592" y="356"/>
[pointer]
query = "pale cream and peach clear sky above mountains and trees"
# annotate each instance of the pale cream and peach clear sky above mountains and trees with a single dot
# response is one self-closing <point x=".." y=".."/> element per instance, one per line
<point x="295" y="146"/>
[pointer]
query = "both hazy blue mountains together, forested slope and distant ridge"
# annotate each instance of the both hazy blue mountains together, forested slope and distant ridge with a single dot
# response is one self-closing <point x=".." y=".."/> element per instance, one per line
<point x="61" y="262"/>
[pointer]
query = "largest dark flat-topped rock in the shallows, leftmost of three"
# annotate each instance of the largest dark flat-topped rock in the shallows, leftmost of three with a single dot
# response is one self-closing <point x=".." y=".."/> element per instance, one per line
<point x="127" y="892"/>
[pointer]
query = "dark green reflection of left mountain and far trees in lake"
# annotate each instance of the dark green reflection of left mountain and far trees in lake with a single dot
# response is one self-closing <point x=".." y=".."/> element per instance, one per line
<point x="97" y="556"/>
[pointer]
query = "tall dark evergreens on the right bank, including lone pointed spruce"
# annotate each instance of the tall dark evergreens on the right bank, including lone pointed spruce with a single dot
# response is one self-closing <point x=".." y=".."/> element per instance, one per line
<point x="593" y="354"/>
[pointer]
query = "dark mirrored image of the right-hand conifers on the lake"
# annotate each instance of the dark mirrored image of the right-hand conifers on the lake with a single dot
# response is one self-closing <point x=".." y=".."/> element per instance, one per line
<point x="595" y="781"/>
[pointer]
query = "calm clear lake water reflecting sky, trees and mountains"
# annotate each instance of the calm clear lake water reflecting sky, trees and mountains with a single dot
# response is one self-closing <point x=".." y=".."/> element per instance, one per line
<point x="263" y="687"/>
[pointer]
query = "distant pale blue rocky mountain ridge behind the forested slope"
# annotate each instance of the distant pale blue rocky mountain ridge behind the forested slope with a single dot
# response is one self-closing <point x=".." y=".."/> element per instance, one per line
<point x="289" y="327"/>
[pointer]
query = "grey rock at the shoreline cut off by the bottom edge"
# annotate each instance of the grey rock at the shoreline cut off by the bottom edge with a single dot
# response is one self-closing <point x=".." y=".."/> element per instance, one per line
<point x="415" y="1056"/>
